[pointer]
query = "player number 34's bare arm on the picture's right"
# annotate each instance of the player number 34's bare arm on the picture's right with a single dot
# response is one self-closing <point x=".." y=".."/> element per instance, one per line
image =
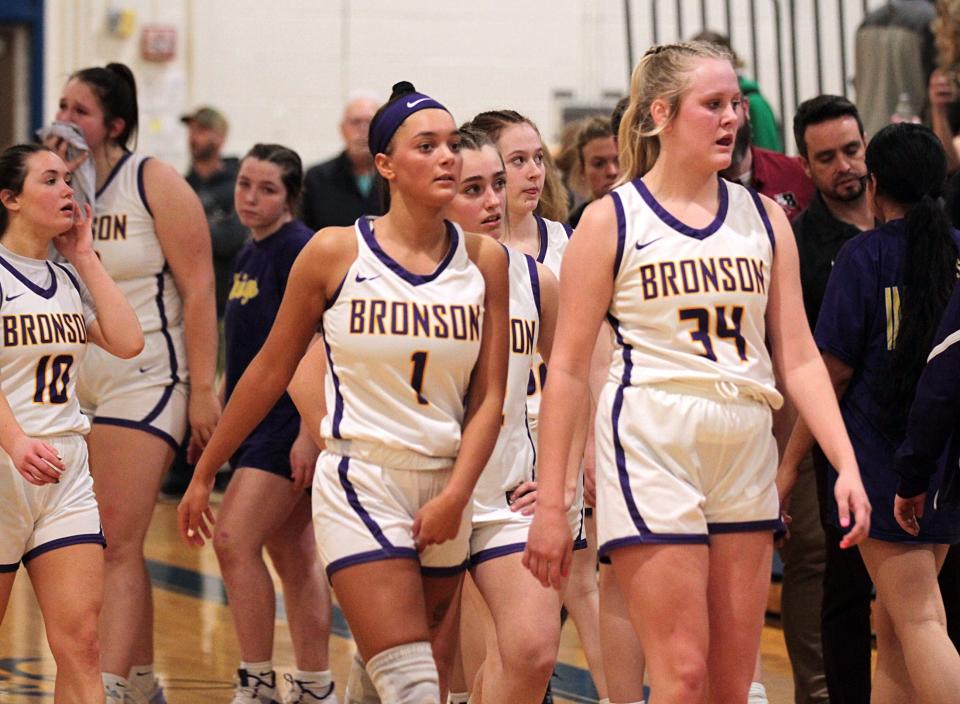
<point x="805" y="377"/>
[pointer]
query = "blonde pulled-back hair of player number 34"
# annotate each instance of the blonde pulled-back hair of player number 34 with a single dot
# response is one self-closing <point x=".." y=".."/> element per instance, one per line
<point x="663" y="73"/>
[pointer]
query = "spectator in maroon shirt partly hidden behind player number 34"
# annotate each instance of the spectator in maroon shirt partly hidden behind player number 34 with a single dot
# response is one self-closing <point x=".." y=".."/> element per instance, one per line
<point x="775" y="175"/>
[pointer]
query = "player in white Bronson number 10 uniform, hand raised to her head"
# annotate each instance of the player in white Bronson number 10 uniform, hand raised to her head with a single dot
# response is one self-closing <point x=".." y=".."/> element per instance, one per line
<point x="48" y="514"/>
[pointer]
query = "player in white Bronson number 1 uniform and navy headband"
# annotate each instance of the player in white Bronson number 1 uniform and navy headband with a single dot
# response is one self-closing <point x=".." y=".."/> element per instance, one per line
<point x="415" y="324"/>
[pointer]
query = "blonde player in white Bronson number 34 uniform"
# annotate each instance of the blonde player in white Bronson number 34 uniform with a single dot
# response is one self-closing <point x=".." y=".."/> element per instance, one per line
<point x="695" y="274"/>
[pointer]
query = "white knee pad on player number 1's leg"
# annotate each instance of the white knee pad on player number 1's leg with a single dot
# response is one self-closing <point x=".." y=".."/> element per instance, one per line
<point x="406" y="674"/>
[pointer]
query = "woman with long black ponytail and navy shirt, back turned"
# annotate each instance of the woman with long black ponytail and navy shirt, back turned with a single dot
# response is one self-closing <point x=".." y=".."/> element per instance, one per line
<point x="885" y="297"/>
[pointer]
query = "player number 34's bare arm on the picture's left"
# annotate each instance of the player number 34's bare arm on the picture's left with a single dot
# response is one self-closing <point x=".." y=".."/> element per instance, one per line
<point x="586" y="288"/>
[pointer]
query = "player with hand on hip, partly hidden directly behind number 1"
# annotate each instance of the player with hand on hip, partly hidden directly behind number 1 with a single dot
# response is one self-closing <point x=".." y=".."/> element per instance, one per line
<point x="521" y="654"/>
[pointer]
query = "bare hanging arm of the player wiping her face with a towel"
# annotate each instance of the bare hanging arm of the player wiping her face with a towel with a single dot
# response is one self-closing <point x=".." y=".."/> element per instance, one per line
<point x="185" y="239"/>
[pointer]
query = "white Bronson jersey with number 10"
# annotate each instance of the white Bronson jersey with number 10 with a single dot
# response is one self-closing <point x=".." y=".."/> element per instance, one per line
<point x="44" y="315"/>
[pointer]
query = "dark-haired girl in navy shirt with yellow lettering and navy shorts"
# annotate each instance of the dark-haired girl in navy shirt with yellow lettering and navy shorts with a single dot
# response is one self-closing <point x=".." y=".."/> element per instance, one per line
<point x="276" y="460"/>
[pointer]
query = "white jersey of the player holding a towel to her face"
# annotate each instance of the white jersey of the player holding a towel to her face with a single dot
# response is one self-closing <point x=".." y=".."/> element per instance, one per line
<point x="126" y="241"/>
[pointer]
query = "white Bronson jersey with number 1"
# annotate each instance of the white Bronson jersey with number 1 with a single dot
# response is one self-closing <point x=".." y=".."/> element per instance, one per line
<point x="400" y="350"/>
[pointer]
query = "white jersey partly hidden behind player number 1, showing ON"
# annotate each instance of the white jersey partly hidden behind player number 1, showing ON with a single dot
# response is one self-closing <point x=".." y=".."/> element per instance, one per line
<point x="514" y="455"/>
